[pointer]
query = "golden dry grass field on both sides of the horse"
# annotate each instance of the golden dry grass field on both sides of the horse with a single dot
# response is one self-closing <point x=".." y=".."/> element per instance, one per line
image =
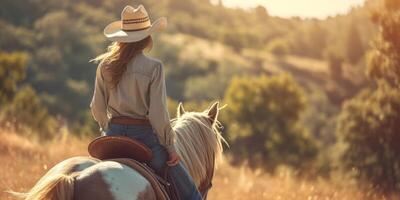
<point x="24" y="161"/>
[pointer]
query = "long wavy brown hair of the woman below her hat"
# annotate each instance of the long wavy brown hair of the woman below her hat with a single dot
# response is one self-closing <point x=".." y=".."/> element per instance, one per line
<point x="118" y="55"/>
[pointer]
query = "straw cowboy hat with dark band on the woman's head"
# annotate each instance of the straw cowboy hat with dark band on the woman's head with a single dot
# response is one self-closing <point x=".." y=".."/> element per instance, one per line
<point x="134" y="25"/>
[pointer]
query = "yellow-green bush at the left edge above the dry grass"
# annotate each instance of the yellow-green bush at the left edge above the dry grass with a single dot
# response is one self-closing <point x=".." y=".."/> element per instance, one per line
<point x="21" y="105"/>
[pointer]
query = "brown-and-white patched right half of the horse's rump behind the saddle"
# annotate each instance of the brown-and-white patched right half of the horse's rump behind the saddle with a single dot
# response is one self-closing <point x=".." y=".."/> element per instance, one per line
<point x="111" y="180"/>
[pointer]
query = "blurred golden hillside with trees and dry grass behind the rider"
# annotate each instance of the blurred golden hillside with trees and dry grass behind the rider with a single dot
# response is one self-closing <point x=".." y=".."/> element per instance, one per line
<point x="302" y="94"/>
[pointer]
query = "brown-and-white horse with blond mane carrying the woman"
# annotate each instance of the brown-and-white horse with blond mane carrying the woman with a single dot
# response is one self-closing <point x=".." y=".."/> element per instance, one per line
<point x="198" y="142"/>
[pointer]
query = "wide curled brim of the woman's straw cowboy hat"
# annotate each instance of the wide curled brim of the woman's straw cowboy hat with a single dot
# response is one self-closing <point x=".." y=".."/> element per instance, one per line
<point x="114" y="32"/>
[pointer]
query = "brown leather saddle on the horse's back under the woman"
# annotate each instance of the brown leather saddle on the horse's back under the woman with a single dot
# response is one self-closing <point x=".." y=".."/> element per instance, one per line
<point x="134" y="154"/>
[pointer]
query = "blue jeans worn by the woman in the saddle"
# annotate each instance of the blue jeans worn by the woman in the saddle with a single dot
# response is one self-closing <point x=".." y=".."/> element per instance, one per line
<point x="145" y="134"/>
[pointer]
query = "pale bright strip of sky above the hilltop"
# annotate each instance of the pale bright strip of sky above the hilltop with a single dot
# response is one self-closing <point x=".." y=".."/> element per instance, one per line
<point x="303" y="8"/>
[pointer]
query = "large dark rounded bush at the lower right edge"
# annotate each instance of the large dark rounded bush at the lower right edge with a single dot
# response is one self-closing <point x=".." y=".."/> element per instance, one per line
<point x="369" y="123"/>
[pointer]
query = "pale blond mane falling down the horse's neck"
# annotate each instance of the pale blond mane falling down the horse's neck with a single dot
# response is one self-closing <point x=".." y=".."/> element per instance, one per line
<point x="198" y="142"/>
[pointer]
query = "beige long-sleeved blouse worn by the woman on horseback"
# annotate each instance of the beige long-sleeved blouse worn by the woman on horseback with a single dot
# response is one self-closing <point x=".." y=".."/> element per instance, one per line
<point x="141" y="94"/>
